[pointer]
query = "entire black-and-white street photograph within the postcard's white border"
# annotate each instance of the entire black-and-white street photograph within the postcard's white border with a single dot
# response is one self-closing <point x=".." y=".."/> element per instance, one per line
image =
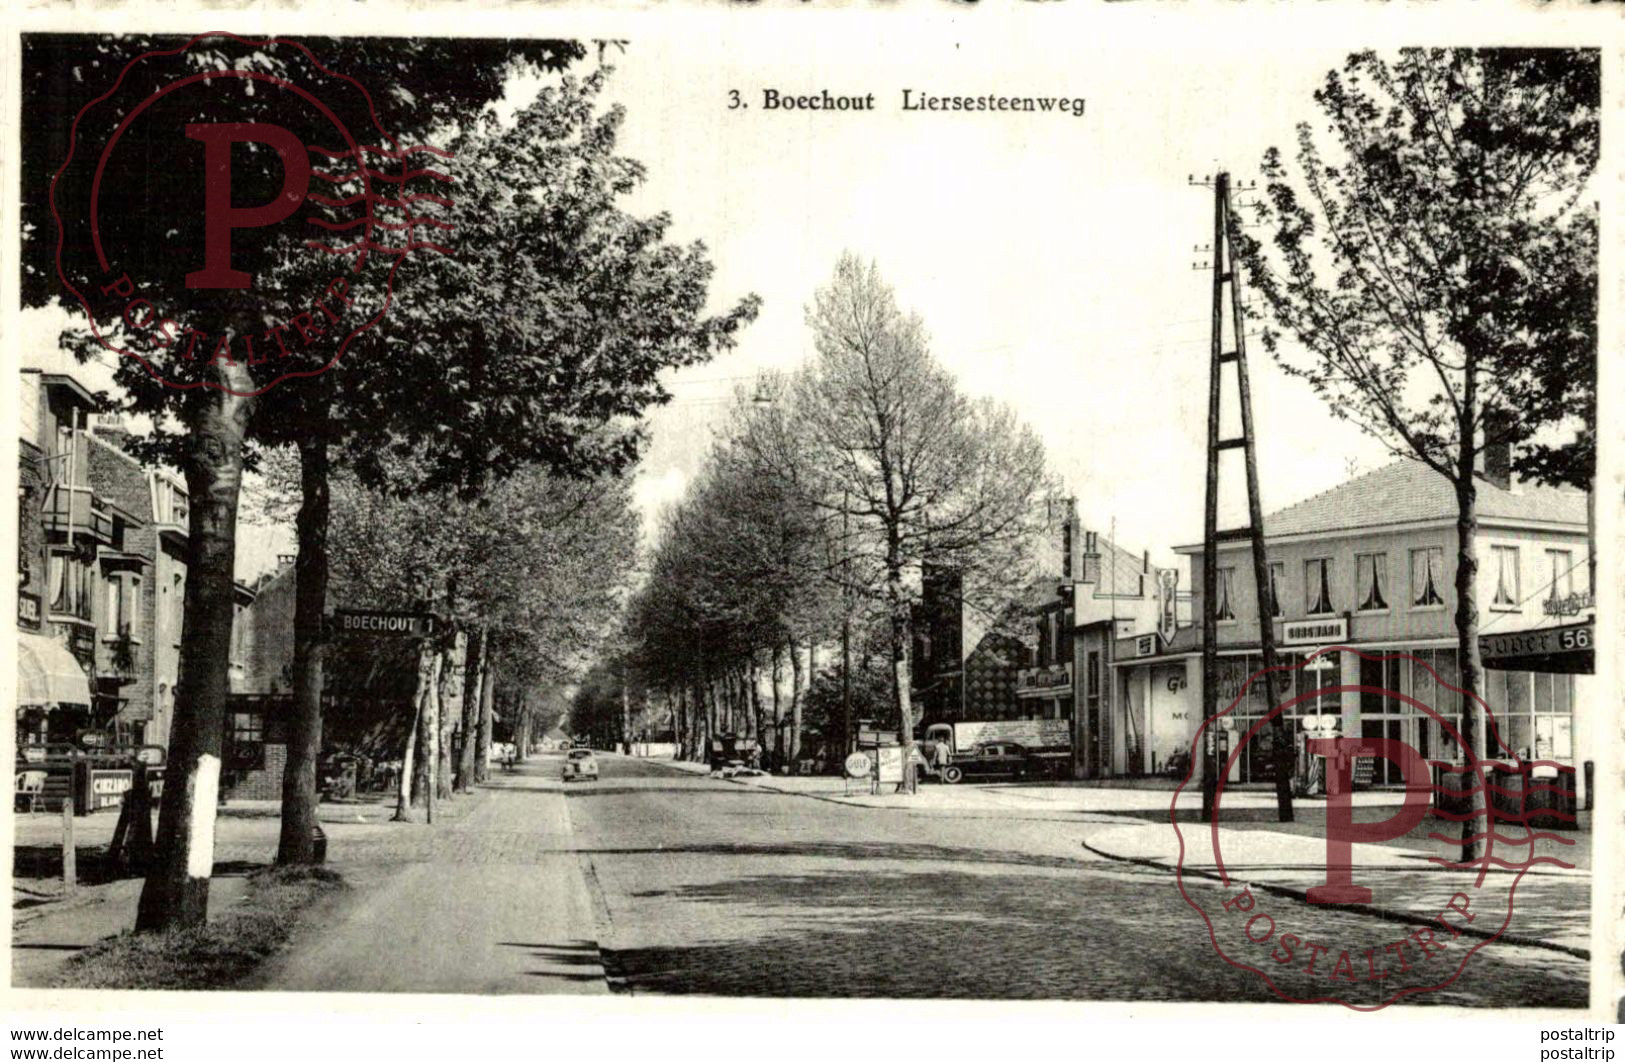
<point x="474" y="543"/>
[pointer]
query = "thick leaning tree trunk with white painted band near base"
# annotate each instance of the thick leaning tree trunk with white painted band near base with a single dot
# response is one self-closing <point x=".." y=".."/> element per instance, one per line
<point x="176" y="889"/>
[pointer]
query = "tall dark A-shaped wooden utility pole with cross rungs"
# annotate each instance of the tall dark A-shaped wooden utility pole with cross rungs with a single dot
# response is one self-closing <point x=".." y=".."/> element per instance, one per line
<point x="1224" y="275"/>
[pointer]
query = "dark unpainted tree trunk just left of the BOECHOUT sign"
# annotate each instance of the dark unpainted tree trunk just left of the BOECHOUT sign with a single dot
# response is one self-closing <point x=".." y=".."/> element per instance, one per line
<point x="305" y="728"/>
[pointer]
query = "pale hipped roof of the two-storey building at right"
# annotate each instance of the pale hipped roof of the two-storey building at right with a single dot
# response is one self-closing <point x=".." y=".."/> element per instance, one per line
<point x="1411" y="493"/>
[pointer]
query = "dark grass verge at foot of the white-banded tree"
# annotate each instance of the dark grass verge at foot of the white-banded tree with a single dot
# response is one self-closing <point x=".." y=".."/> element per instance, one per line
<point x="214" y="957"/>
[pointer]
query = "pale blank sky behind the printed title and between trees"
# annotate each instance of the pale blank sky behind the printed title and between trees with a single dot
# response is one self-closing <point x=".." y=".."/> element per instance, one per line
<point x="1049" y="256"/>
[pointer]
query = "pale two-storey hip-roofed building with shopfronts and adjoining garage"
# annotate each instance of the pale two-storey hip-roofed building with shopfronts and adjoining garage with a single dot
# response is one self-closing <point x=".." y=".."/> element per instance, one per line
<point x="1372" y="566"/>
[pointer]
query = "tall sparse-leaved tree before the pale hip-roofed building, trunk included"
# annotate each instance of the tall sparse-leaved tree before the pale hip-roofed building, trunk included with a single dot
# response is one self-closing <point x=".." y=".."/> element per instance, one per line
<point x="1437" y="270"/>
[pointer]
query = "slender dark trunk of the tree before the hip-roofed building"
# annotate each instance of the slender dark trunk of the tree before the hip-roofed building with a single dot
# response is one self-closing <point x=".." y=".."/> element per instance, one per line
<point x="1471" y="665"/>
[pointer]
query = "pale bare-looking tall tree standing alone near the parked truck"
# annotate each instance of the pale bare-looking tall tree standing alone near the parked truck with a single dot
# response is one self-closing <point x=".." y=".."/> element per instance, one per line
<point x="904" y="467"/>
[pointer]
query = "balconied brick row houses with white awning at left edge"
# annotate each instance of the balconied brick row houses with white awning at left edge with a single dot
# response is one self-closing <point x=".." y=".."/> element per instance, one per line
<point x="102" y="576"/>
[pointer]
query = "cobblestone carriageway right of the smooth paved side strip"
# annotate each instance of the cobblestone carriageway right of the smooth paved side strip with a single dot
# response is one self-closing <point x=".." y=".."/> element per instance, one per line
<point x="716" y="887"/>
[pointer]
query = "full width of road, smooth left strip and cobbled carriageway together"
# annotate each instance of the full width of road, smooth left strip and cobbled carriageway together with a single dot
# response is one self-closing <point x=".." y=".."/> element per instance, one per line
<point x="662" y="881"/>
